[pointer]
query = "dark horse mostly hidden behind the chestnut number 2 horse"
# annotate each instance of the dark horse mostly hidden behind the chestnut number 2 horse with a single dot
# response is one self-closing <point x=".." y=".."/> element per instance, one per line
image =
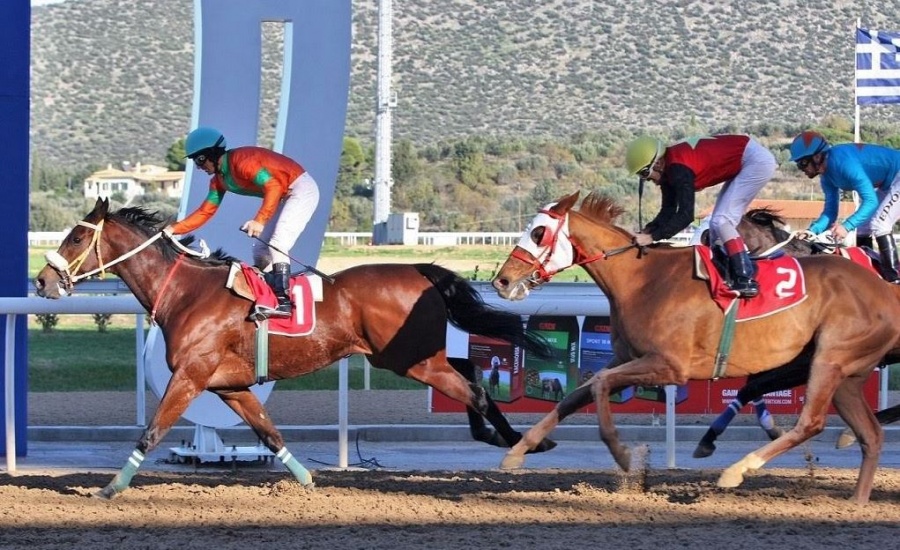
<point x="762" y="230"/>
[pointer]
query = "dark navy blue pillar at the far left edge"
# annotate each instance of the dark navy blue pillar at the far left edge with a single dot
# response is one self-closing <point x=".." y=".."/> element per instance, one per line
<point x="15" y="61"/>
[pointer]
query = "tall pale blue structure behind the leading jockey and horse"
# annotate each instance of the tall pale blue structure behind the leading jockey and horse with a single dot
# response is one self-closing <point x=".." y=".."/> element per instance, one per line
<point x="312" y="108"/>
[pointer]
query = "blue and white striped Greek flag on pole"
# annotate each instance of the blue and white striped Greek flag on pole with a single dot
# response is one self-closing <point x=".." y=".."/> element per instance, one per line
<point x="877" y="66"/>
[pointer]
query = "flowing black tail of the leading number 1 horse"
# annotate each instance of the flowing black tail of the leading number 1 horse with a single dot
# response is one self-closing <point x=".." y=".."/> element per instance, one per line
<point x="467" y="311"/>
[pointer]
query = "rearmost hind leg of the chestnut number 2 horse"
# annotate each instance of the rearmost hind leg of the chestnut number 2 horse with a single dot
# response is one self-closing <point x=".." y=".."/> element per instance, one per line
<point x="851" y="405"/>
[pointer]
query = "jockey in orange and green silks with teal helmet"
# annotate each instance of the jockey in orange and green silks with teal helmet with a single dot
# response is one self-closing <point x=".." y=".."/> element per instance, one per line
<point x="289" y="198"/>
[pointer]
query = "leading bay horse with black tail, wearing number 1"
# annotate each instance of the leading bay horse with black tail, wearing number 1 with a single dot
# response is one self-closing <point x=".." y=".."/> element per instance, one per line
<point x="395" y="314"/>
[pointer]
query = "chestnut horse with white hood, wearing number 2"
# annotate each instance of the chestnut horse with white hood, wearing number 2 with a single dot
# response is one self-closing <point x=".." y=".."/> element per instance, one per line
<point x="666" y="329"/>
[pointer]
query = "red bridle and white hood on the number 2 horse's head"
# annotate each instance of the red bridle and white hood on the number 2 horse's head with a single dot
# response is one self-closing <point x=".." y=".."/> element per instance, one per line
<point x="556" y="240"/>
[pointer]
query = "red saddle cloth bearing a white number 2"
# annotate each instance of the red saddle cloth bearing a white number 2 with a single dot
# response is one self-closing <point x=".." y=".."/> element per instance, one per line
<point x="781" y="285"/>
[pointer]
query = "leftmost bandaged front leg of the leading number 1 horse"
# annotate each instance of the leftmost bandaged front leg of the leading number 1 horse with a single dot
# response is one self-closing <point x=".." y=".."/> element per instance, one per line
<point x="179" y="393"/>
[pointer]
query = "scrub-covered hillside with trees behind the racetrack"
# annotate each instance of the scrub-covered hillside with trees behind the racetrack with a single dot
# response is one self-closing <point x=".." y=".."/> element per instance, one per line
<point x="501" y="106"/>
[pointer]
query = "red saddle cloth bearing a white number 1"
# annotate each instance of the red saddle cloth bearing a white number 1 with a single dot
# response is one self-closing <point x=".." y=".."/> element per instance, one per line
<point x="303" y="318"/>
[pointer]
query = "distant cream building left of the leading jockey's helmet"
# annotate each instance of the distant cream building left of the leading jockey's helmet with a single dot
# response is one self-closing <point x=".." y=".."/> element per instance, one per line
<point x="132" y="182"/>
